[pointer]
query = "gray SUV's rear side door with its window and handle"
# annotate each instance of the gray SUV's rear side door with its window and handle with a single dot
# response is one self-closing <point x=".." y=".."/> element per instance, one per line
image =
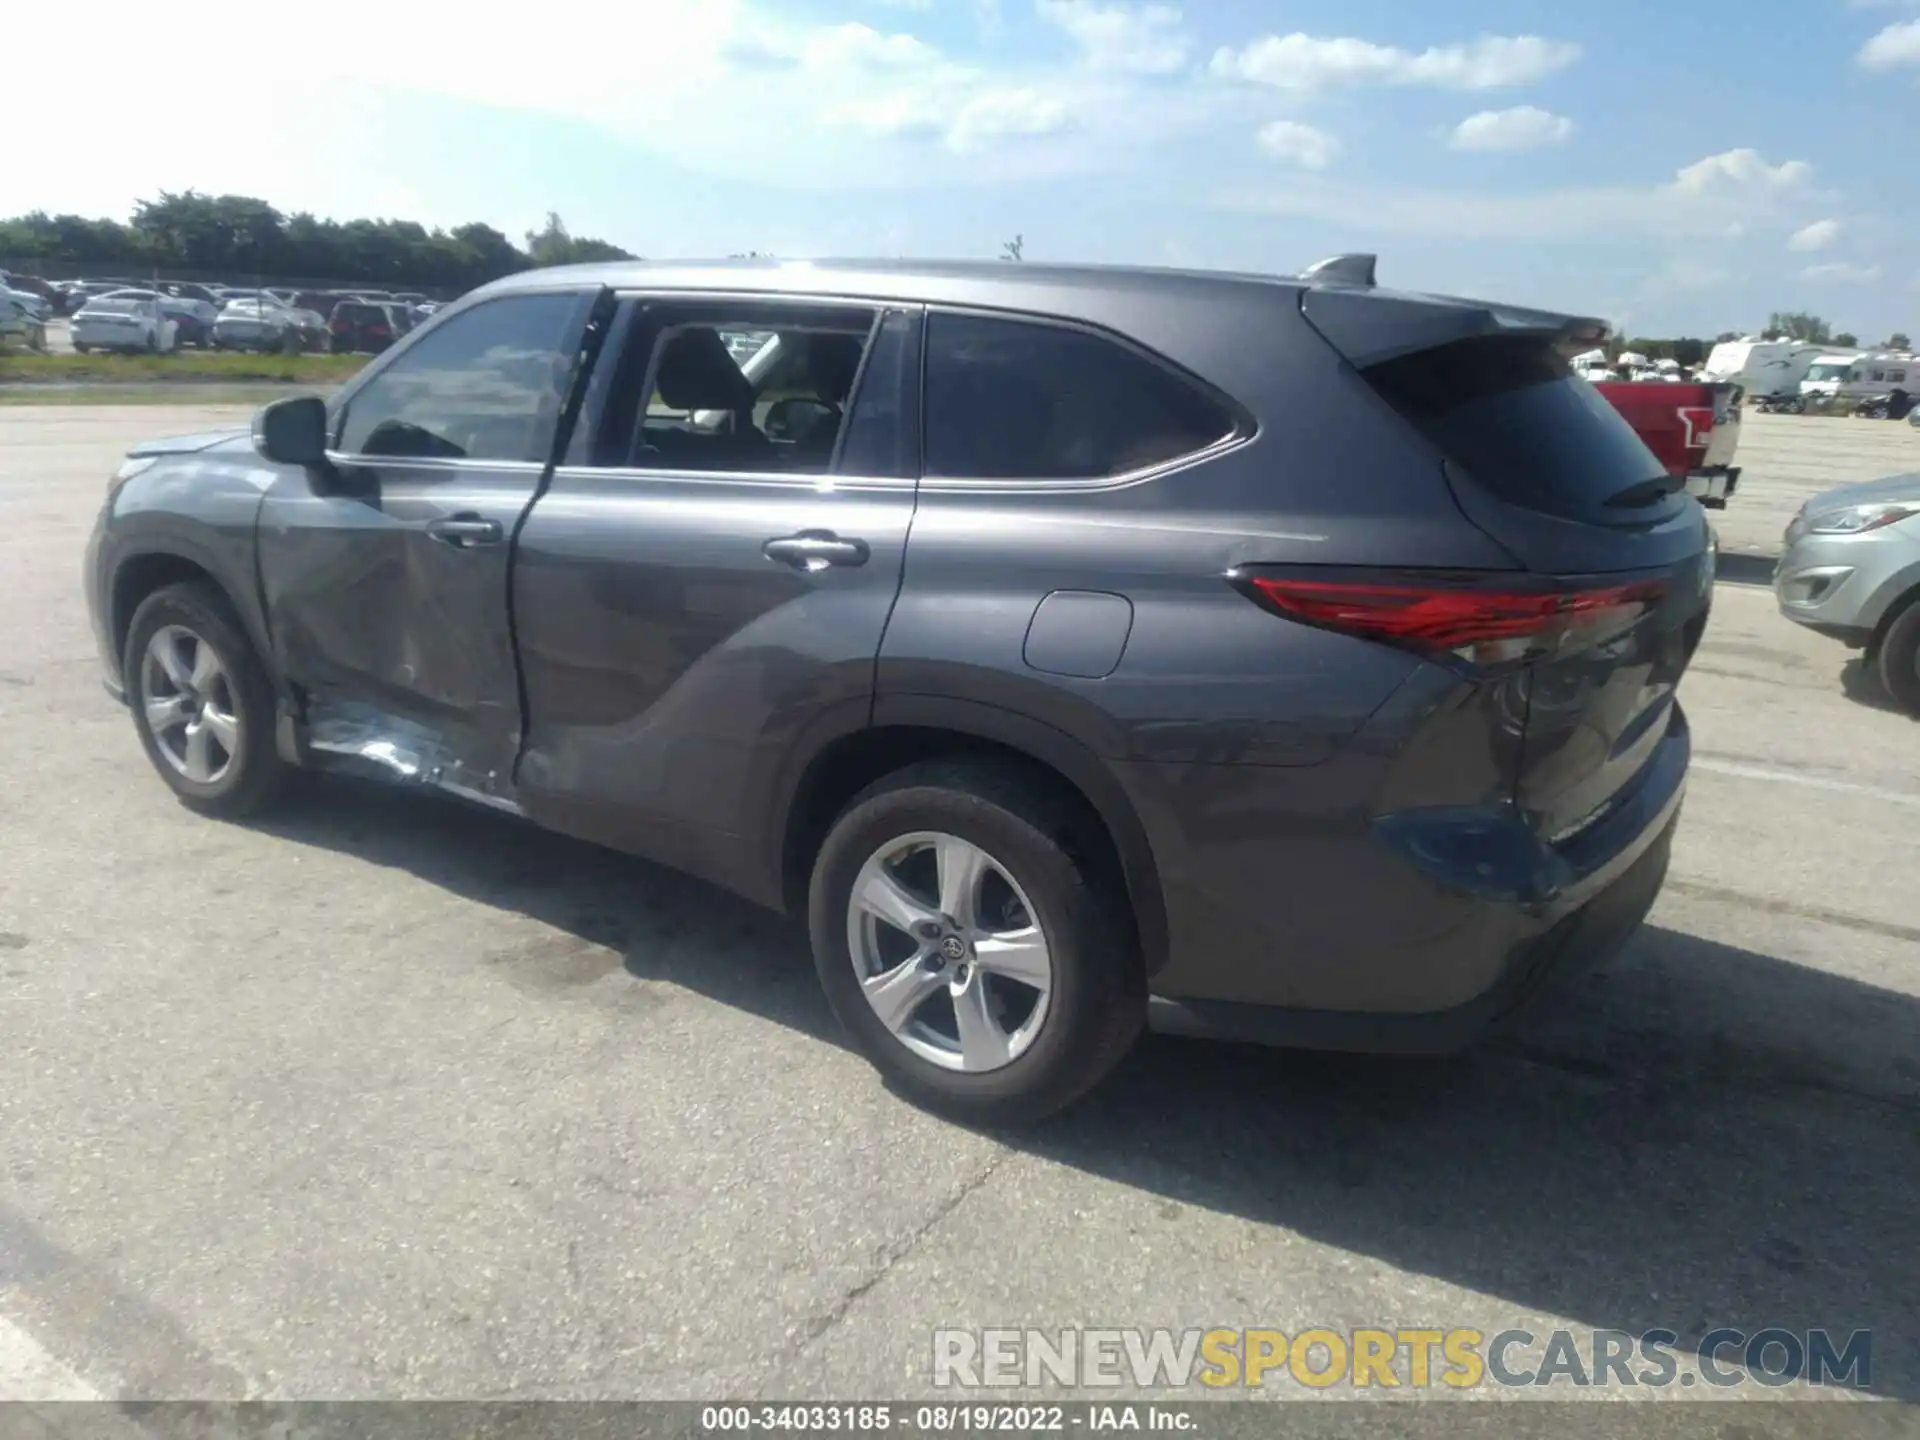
<point x="711" y="571"/>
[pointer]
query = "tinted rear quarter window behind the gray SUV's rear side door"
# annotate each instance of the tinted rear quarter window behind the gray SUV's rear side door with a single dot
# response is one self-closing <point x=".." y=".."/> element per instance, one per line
<point x="1044" y="402"/>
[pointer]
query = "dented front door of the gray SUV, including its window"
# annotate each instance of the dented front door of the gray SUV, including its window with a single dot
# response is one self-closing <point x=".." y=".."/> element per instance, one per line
<point x="387" y="581"/>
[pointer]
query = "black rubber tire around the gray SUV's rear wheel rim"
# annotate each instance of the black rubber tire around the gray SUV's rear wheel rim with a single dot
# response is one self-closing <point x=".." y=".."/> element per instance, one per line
<point x="1099" y="988"/>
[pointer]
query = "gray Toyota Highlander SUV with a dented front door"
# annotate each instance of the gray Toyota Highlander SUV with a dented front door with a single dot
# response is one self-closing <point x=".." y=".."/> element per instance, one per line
<point x="1078" y="650"/>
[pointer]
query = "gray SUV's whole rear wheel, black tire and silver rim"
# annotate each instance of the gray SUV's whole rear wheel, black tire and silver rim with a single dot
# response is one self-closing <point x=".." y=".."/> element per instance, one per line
<point x="969" y="946"/>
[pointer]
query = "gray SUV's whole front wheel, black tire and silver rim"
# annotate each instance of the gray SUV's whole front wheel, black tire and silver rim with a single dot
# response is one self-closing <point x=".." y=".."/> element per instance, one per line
<point x="203" y="702"/>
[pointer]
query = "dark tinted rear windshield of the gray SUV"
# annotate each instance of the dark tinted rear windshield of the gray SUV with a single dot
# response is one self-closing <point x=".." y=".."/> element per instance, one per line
<point x="1512" y="414"/>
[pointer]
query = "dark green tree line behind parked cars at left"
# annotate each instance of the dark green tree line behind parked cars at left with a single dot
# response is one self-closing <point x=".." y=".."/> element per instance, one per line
<point x="243" y="237"/>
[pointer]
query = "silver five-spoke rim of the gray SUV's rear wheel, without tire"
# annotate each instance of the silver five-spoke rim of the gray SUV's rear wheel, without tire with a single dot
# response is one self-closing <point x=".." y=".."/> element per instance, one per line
<point x="949" y="951"/>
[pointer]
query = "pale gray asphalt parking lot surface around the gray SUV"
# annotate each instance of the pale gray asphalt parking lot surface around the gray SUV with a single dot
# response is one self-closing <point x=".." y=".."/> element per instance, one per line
<point x="389" y="1099"/>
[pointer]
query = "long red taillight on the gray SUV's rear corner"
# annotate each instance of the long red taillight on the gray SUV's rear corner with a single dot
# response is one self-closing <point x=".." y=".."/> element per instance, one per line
<point x="1472" y="621"/>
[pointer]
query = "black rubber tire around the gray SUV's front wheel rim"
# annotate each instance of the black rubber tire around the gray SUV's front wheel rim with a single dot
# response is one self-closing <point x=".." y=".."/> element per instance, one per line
<point x="258" y="773"/>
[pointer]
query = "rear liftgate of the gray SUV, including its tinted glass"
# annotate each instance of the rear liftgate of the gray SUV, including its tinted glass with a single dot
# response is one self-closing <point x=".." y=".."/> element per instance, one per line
<point x="1545" y="466"/>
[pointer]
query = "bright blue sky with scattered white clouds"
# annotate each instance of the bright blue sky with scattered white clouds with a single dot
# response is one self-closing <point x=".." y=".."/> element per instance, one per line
<point x="1681" y="170"/>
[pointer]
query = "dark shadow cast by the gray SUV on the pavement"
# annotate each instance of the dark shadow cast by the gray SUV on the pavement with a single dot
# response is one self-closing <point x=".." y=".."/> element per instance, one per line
<point x="1698" y="1138"/>
